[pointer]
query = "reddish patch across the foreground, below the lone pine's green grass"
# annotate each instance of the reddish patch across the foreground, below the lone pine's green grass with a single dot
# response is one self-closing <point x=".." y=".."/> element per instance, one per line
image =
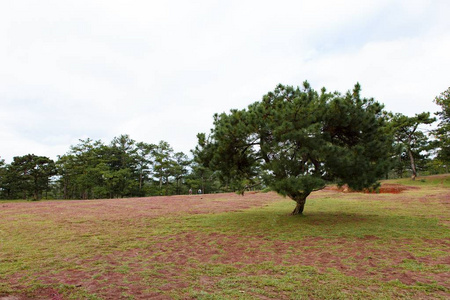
<point x="360" y="258"/>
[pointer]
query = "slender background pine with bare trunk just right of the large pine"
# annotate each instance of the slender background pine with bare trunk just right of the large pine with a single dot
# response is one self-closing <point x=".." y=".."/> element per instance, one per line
<point x="411" y="141"/>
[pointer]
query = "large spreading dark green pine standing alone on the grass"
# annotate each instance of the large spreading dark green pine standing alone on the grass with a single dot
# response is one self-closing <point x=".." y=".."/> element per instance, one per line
<point x="300" y="139"/>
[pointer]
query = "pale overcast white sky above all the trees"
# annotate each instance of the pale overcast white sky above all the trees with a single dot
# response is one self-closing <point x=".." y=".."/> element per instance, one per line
<point x="159" y="70"/>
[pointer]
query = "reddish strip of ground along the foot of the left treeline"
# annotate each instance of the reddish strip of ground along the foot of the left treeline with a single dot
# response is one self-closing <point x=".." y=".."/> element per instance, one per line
<point x="135" y="208"/>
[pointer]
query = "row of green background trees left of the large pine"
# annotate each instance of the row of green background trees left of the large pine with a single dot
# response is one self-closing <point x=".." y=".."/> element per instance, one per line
<point x="93" y="170"/>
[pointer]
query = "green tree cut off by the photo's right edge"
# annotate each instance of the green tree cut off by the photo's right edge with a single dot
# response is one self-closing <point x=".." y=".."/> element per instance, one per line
<point x="442" y="133"/>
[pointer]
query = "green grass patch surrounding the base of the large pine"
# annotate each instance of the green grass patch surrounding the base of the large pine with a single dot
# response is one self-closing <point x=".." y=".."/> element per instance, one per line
<point x="324" y="218"/>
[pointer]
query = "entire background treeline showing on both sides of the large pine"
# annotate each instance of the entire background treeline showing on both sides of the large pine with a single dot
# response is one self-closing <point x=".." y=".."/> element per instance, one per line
<point x="127" y="168"/>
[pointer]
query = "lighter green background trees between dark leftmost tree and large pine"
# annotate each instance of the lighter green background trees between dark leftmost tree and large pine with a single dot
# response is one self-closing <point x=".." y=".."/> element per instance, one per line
<point x="125" y="168"/>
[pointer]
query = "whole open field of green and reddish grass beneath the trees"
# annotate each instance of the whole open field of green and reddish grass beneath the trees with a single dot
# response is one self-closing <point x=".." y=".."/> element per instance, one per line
<point x="225" y="246"/>
